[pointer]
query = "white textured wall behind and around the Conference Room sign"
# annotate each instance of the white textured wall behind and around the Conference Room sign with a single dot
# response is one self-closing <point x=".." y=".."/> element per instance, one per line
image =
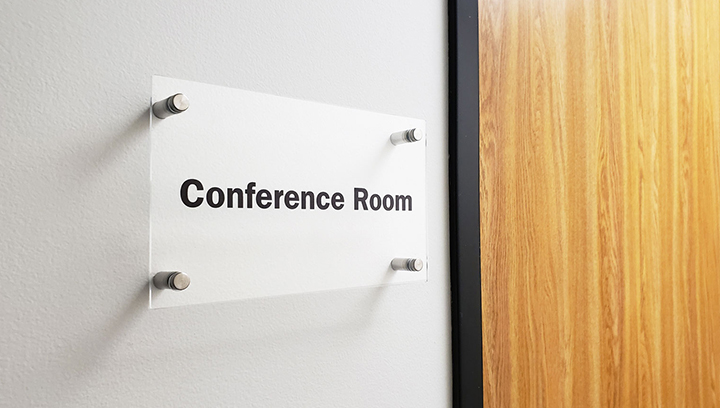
<point x="75" y="329"/>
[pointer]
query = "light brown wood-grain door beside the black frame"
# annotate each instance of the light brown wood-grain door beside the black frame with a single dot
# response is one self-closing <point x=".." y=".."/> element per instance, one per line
<point x="600" y="202"/>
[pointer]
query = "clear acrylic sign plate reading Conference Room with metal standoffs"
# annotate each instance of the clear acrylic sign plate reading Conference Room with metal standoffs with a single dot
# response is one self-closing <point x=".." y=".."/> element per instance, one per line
<point x="256" y="195"/>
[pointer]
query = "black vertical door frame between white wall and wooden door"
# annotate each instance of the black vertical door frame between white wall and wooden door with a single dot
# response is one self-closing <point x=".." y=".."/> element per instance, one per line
<point x="464" y="159"/>
